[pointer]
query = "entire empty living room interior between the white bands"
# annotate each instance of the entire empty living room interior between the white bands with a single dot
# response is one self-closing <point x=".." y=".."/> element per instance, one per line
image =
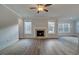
<point x="19" y="22"/>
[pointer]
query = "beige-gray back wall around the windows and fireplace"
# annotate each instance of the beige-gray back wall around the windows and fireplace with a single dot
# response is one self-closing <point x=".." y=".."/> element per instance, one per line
<point x="42" y="22"/>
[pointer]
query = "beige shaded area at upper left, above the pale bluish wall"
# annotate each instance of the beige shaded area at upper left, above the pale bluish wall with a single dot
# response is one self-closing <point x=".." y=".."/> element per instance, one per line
<point x="7" y="18"/>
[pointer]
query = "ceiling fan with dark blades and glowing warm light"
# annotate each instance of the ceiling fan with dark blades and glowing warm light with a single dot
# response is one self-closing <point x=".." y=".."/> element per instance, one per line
<point x="41" y="7"/>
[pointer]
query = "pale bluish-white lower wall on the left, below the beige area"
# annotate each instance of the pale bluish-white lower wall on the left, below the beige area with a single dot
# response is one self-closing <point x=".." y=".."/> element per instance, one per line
<point x="8" y="36"/>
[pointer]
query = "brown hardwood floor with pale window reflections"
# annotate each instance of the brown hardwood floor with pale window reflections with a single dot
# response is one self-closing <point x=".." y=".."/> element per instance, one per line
<point x="38" y="47"/>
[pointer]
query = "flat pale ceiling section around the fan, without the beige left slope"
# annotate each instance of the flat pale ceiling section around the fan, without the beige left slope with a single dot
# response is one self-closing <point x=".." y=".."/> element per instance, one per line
<point x="60" y="11"/>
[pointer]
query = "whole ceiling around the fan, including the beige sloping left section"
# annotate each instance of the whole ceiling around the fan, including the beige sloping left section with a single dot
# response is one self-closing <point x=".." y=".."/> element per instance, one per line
<point x="10" y="12"/>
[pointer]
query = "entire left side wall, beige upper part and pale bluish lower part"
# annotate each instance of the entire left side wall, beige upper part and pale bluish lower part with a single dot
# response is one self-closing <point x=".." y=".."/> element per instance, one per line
<point x="8" y="27"/>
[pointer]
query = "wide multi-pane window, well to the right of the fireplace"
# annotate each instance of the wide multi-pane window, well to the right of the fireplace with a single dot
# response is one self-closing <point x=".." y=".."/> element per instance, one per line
<point x="63" y="27"/>
